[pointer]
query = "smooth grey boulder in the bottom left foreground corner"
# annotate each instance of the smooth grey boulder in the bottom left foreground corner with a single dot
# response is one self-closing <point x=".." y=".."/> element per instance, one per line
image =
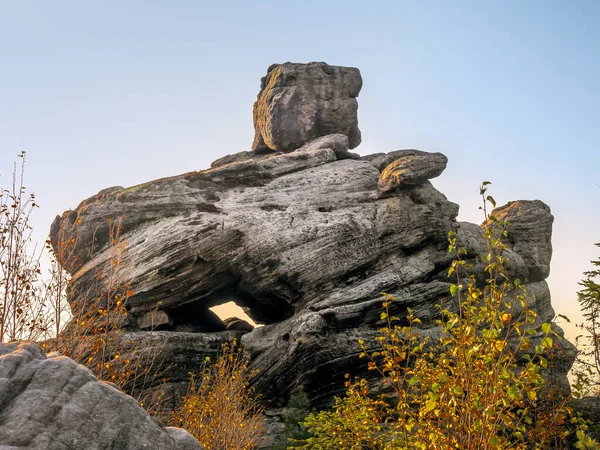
<point x="54" y="403"/>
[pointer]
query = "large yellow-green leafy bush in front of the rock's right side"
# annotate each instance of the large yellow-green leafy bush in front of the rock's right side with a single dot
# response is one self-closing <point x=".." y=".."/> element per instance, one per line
<point x="475" y="384"/>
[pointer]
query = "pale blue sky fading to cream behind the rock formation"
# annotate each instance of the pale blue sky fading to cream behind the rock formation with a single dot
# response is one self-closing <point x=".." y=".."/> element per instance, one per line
<point x="122" y="92"/>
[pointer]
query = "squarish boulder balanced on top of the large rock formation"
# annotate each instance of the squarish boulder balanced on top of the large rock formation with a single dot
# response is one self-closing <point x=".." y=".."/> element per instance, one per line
<point x="300" y="102"/>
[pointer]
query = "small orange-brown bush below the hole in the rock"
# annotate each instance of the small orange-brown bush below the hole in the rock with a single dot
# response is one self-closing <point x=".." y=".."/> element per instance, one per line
<point x="220" y="408"/>
